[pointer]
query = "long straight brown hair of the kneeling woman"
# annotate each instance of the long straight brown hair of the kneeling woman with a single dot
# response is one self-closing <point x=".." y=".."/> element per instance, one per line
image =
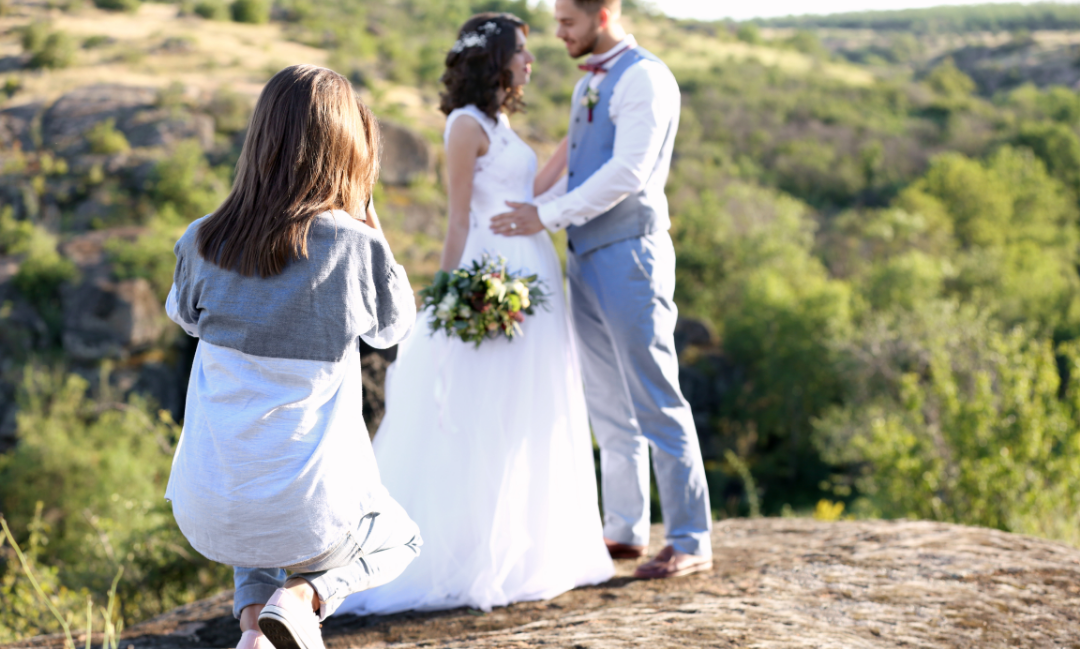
<point x="313" y="146"/>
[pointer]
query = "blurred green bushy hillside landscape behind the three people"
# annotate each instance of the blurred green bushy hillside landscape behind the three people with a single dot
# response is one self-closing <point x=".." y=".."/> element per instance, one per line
<point x="876" y="224"/>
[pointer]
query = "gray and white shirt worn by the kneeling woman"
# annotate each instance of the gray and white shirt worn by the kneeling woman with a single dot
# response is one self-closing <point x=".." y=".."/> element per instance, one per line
<point x="275" y="465"/>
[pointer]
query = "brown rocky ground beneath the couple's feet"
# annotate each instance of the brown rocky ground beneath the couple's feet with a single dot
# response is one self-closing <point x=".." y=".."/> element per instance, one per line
<point x="778" y="583"/>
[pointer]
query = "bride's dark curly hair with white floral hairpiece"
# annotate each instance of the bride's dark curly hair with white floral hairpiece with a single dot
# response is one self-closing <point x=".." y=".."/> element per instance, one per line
<point x="478" y="65"/>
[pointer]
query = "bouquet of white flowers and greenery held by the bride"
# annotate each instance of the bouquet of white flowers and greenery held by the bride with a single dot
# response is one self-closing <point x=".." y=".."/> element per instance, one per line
<point x="482" y="302"/>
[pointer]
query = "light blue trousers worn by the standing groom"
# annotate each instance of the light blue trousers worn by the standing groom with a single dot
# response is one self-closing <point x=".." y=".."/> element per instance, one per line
<point x="624" y="309"/>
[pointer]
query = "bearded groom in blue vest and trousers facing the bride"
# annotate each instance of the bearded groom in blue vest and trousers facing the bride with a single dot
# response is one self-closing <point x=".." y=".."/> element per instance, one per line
<point x="622" y="272"/>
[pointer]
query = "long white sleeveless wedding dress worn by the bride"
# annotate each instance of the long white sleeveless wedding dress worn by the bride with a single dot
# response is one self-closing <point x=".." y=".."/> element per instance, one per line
<point x="489" y="450"/>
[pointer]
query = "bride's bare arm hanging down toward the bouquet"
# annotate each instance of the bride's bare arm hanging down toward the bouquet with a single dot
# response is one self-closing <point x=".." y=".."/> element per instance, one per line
<point x="465" y="145"/>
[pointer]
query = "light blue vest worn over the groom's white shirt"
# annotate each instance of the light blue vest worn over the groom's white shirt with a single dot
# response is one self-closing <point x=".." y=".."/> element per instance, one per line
<point x="592" y="145"/>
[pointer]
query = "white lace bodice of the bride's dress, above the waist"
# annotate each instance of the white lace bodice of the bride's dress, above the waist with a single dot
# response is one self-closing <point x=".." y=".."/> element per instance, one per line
<point x="505" y="173"/>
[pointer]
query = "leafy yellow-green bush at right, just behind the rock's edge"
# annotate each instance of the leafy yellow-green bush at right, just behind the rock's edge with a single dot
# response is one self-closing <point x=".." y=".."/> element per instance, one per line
<point x="950" y="420"/>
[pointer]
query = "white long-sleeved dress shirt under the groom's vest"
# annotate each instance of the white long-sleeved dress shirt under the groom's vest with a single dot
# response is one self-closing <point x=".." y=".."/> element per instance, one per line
<point x="643" y="103"/>
